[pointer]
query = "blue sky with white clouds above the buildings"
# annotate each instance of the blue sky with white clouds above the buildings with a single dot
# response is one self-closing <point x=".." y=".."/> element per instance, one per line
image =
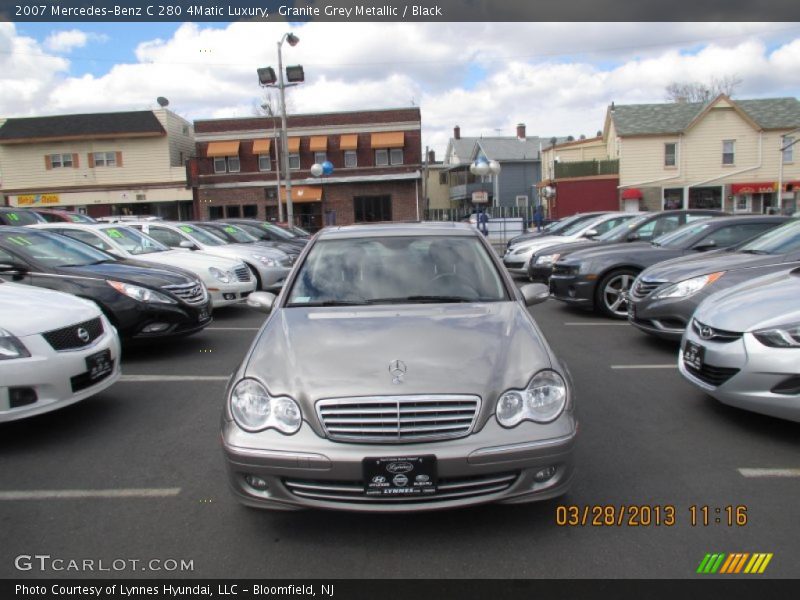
<point x="557" y="78"/>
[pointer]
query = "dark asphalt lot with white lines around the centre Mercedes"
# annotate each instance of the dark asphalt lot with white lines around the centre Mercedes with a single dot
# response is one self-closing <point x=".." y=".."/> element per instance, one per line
<point x="137" y="473"/>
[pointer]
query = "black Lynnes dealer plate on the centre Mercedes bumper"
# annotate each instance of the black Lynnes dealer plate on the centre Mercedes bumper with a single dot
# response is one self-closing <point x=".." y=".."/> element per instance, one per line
<point x="400" y="476"/>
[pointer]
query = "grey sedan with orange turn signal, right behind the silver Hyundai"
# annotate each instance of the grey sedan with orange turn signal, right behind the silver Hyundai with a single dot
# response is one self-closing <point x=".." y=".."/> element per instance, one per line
<point x="664" y="296"/>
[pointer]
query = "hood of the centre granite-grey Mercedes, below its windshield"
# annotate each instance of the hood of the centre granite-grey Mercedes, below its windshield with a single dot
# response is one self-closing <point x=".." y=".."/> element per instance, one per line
<point x="315" y="353"/>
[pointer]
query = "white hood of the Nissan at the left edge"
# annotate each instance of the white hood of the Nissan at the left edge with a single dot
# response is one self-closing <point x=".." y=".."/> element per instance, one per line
<point x="26" y="310"/>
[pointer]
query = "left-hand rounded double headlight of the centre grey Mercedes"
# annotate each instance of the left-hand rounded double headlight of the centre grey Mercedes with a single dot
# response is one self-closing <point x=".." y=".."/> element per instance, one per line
<point x="254" y="409"/>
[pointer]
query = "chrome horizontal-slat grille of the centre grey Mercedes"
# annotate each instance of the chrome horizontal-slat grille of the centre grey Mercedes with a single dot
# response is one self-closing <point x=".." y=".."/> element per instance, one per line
<point x="392" y="419"/>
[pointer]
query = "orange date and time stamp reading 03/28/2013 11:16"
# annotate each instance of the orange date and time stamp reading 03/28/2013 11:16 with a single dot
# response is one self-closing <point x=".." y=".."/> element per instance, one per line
<point x="649" y="515"/>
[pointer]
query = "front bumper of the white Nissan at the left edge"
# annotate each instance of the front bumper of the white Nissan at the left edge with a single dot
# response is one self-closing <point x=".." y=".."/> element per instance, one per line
<point x="57" y="378"/>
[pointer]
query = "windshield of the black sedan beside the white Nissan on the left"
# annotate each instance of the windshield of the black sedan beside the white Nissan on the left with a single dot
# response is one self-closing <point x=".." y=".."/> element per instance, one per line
<point x="54" y="250"/>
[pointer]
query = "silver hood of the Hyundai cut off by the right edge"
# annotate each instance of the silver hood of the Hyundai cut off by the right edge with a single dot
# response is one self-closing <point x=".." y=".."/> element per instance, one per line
<point x="763" y="302"/>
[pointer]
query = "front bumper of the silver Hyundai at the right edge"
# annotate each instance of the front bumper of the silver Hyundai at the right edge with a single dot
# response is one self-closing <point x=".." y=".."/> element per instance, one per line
<point x="750" y="371"/>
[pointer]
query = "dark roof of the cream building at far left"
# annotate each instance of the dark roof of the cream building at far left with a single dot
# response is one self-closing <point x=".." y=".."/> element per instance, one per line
<point x="135" y="123"/>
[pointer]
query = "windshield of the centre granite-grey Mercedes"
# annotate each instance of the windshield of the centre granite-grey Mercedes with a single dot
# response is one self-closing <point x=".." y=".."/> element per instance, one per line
<point x="397" y="270"/>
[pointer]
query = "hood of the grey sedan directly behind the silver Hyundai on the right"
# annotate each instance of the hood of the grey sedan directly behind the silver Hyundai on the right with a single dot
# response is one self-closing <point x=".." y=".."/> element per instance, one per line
<point x="687" y="267"/>
